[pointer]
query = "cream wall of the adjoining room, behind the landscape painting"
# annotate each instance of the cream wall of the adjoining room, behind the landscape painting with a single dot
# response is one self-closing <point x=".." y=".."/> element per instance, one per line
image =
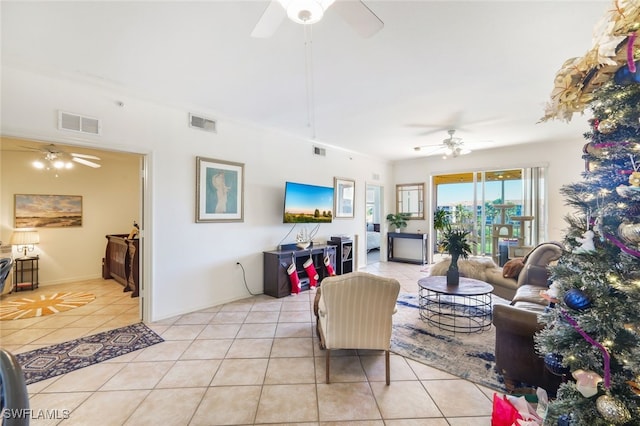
<point x="110" y="203"/>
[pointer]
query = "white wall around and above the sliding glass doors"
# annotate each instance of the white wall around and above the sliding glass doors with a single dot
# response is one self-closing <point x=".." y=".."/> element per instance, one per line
<point x="562" y="159"/>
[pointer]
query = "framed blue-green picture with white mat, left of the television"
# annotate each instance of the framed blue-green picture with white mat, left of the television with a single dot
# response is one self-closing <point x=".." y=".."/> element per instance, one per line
<point x="219" y="190"/>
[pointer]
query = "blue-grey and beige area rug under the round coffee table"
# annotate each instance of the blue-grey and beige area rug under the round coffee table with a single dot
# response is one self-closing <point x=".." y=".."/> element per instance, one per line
<point x="470" y="356"/>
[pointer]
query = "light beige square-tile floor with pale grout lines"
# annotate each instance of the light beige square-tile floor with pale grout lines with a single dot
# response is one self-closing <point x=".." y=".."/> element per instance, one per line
<point x="254" y="361"/>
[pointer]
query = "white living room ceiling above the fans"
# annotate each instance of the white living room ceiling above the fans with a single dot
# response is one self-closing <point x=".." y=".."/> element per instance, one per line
<point x="485" y="68"/>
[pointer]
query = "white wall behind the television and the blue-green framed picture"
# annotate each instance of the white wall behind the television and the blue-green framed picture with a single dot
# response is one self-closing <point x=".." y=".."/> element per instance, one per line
<point x="188" y="265"/>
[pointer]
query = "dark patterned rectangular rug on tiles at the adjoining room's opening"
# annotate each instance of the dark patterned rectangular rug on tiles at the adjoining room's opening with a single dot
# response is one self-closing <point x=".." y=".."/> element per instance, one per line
<point x="51" y="361"/>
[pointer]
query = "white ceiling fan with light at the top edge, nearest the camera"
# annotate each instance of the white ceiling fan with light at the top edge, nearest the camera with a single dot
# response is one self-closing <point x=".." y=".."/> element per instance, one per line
<point x="356" y="13"/>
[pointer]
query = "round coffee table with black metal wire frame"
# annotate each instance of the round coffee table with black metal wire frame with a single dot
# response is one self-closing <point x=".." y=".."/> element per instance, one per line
<point x="465" y="308"/>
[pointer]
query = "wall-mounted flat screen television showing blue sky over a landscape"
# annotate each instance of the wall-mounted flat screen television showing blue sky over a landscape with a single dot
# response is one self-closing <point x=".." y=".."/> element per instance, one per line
<point x="307" y="203"/>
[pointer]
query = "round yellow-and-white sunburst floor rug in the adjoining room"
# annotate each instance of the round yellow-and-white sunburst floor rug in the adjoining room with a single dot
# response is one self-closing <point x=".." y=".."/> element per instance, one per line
<point x="43" y="304"/>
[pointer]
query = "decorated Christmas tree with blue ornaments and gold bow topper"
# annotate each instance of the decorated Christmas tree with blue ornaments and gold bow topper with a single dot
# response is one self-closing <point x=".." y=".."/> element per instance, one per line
<point x="592" y="332"/>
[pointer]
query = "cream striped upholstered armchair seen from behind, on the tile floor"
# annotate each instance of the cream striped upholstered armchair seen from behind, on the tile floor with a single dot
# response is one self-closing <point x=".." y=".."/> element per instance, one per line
<point x="355" y="312"/>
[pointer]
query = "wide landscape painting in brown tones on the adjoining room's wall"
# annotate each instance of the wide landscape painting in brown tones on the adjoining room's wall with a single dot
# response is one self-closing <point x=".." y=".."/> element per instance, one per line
<point x="47" y="211"/>
